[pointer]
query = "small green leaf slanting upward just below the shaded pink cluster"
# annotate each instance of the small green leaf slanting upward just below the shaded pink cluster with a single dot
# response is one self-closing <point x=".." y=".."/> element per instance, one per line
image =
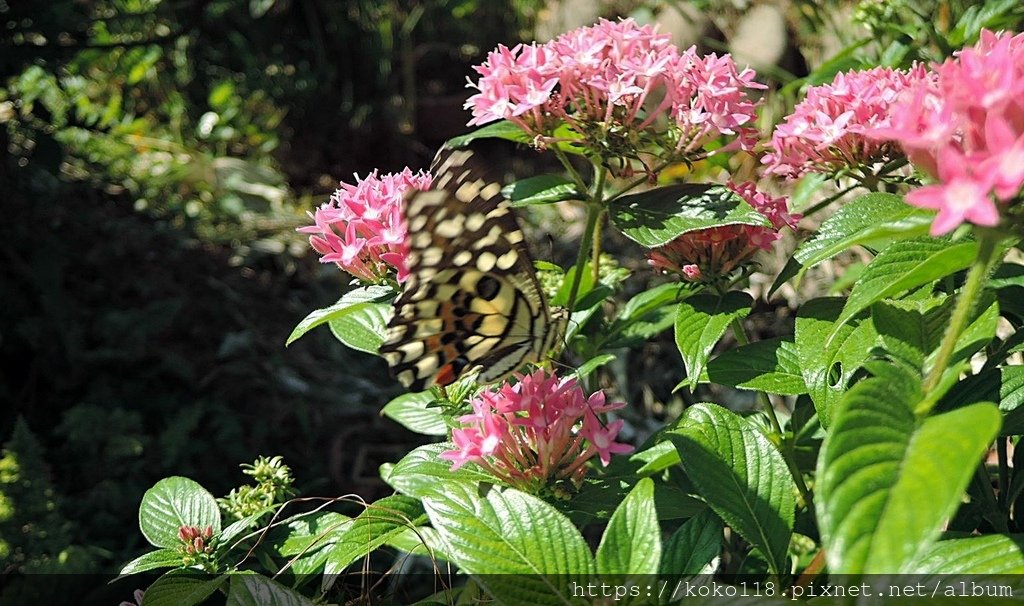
<point x="646" y="316"/>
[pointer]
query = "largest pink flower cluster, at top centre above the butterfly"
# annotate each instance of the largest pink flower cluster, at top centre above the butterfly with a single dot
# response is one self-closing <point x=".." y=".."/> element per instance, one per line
<point x="616" y="76"/>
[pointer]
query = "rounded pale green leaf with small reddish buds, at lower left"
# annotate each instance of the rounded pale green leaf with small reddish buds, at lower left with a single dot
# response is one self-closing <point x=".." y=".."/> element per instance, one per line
<point x="174" y="503"/>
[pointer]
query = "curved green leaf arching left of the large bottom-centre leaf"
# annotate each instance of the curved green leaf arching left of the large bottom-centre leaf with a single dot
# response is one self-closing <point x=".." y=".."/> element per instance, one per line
<point x="372" y="529"/>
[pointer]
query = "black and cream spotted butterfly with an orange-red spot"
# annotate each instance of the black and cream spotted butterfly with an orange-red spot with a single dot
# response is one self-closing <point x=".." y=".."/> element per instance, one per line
<point x="473" y="300"/>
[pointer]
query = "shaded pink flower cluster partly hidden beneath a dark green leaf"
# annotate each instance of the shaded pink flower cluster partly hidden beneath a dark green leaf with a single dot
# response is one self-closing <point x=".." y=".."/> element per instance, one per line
<point x="709" y="255"/>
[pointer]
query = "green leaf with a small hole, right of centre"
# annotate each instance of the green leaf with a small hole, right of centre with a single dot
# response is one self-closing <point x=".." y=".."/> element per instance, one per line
<point x="828" y="368"/>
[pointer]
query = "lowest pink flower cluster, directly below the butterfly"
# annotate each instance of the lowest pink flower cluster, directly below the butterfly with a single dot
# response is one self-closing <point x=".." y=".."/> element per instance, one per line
<point x="539" y="431"/>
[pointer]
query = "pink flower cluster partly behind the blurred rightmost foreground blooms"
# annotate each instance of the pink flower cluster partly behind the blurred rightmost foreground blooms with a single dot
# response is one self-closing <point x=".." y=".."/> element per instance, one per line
<point x="832" y="128"/>
